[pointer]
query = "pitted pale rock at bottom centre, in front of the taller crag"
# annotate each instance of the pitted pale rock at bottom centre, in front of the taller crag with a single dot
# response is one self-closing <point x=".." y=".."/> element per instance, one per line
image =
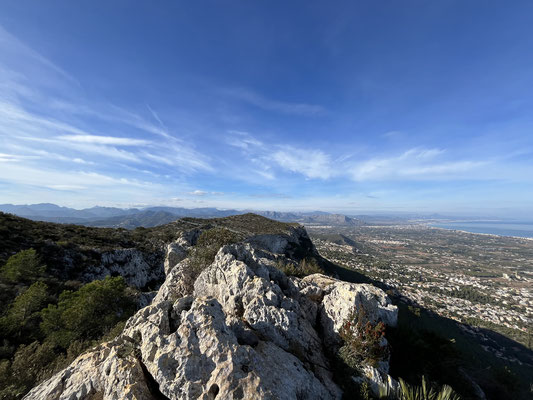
<point x="204" y="353"/>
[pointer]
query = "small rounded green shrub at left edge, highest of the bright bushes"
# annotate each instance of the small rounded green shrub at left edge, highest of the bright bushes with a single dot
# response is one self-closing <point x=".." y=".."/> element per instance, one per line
<point x="25" y="266"/>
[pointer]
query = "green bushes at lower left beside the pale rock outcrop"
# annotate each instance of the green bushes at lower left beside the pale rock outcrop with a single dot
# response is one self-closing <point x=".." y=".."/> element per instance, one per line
<point x="44" y="326"/>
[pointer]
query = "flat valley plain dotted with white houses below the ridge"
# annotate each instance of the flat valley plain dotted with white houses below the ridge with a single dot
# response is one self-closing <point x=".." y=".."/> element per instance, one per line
<point x="483" y="280"/>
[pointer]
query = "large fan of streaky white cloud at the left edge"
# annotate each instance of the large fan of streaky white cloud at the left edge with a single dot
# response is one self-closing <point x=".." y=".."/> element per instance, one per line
<point x="46" y="123"/>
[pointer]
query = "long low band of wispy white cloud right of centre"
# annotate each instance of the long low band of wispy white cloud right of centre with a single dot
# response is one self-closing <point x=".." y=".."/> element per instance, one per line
<point x="418" y="163"/>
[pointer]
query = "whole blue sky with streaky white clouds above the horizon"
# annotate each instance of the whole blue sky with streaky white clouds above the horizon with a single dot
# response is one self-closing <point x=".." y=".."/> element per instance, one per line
<point x="382" y="106"/>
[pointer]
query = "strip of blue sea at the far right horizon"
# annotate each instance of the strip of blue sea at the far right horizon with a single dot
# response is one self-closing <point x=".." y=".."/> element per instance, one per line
<point x="520" y="229"/>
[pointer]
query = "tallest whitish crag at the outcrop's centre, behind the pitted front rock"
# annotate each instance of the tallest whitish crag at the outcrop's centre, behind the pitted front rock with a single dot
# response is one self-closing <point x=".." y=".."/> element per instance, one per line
<point x="252" y="291"/>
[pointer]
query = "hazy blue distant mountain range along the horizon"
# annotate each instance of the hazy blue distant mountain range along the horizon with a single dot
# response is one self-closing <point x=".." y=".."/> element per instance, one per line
<point x="130" y="218"/>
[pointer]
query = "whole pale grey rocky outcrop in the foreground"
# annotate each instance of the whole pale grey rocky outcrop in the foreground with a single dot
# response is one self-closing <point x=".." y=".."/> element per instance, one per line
<point x="241" y="329"/>
